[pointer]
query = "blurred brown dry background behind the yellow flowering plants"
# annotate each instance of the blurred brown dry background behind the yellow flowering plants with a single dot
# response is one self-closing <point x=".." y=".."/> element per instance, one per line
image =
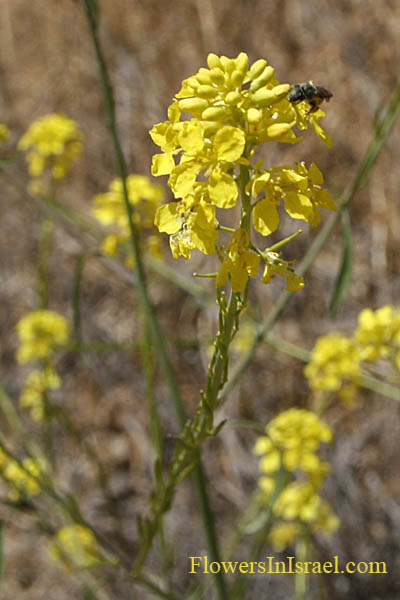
<point x="47" y="64"/>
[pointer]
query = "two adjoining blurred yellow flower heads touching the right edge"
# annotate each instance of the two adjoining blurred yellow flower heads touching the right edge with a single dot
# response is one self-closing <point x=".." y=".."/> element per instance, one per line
<point x="335" y="365"/>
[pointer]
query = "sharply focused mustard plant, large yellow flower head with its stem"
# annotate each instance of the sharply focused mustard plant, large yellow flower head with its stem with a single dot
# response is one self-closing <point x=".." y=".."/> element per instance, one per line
<point x="209" y="156"/>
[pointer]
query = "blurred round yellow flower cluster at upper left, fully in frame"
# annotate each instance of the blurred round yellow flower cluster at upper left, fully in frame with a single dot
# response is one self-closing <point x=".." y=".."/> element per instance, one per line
<point x="53" y="142"/>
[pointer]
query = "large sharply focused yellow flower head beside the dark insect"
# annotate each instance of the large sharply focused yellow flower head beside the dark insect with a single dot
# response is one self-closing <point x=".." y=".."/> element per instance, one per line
<point x="234" y="107"/>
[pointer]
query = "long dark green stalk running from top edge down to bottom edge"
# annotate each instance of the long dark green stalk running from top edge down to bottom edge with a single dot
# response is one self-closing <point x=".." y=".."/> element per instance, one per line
<point x="158" y="338"/>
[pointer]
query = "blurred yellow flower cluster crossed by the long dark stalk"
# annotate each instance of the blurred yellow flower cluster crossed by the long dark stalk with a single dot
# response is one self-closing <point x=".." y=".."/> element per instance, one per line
<point x="145" y="197"/>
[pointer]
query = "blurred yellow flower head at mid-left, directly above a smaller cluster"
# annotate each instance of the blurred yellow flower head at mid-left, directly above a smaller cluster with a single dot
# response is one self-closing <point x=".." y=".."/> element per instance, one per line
<point x="40" y="332"/>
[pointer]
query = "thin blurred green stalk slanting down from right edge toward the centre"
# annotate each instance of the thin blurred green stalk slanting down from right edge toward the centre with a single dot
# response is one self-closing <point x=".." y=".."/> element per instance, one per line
<point x="359" y="181"/>
